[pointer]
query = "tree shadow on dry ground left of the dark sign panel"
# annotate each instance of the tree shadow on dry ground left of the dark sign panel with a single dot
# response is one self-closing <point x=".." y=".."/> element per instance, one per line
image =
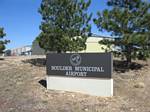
<point x="40" y="62"/>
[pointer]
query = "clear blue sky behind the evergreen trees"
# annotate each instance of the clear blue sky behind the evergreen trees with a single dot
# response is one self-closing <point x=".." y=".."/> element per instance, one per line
<point x="21" y="20"/>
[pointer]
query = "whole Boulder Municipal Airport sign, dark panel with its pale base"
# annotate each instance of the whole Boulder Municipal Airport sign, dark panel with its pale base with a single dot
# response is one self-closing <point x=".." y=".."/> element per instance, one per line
<point x="88" y="73"/>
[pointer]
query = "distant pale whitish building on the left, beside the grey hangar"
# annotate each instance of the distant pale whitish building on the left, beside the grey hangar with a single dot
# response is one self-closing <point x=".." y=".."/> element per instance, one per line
<point x="25" y="50"/>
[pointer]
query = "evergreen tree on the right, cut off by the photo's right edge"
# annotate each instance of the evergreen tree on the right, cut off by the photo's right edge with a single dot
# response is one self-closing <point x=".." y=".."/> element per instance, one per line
<point x="127" y="21"/>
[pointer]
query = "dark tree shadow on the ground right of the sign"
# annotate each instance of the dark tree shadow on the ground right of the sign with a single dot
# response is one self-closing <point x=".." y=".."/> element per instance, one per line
<point x="121" y="66"/>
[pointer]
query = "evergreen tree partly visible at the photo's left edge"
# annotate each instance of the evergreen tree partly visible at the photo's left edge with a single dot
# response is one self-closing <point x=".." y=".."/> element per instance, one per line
<point x="2" y="41"/>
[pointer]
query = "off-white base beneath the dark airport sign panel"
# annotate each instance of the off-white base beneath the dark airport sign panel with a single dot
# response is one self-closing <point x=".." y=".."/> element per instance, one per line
<point x="95" y="87"/>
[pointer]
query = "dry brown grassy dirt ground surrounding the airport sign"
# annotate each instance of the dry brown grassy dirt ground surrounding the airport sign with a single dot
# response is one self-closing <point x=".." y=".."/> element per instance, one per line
<point x="22" y="89"/>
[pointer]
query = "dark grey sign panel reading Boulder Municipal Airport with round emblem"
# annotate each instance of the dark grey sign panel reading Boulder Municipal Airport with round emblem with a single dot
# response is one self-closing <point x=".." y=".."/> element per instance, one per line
<point x="96" y="65"/>
